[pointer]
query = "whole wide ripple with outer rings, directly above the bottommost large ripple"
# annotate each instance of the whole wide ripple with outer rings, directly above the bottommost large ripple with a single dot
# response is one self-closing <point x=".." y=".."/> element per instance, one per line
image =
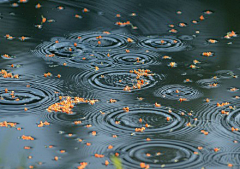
<point x="140" y="120"/>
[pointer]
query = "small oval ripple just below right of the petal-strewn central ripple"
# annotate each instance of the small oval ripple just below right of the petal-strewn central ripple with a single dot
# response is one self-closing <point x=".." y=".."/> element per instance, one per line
<point x="174" y="92"/>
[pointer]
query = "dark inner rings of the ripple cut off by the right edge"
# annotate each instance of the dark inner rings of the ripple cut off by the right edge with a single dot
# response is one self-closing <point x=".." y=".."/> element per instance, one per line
<point x="232" y="120"/>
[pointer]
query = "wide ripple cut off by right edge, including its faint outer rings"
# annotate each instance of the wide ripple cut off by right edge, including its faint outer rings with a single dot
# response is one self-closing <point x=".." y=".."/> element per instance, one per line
<point x="214" y="119"/>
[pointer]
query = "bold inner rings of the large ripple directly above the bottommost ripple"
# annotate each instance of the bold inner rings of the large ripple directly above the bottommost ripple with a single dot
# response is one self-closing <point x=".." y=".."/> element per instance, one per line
<point x="128" y="121"/>
